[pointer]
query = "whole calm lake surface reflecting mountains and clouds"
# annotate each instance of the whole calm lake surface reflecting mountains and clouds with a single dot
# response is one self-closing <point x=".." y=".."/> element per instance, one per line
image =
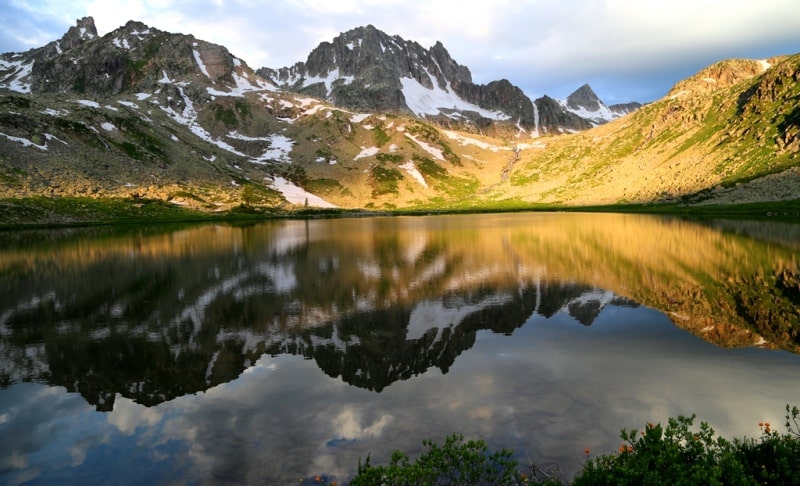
<point x="280" y="351"/>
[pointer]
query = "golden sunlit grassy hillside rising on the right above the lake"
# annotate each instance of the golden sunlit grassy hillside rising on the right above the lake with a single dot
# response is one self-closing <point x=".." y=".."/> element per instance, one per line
<point x="729" y="134"/>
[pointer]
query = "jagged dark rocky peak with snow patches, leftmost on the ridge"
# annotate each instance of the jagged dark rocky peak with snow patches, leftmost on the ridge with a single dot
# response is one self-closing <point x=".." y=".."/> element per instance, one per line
<point x="132" y="57"/>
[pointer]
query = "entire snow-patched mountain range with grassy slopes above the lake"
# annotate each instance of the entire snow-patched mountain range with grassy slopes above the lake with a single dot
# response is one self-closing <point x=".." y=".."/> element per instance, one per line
<point x="159" y="123"/>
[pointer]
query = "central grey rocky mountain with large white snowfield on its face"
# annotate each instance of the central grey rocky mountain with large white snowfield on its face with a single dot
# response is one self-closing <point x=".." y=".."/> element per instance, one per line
<point x="366" y="69"/>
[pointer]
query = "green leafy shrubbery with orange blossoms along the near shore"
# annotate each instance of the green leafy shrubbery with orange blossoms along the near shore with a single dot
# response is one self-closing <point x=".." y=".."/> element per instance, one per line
<point x="671" y="455"/>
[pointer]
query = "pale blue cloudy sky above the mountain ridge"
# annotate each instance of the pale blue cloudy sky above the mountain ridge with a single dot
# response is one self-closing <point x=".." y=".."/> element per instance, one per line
<point x="626" y="50"/>
